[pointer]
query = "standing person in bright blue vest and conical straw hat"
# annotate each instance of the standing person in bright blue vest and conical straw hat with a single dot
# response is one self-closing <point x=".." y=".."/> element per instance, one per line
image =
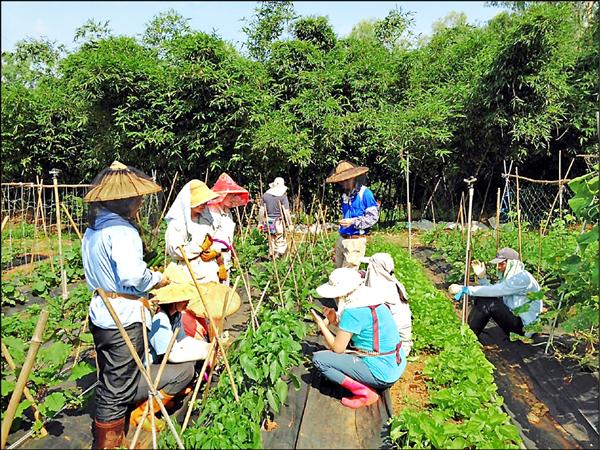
<point x="360" y="212"/>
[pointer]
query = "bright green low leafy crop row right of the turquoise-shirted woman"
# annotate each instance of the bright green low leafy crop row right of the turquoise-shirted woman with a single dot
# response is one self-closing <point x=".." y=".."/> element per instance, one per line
<point x="463" y="410"/>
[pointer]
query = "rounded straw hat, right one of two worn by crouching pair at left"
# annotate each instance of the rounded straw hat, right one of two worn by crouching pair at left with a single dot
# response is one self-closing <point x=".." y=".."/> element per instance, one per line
<point x="215" y="295"/>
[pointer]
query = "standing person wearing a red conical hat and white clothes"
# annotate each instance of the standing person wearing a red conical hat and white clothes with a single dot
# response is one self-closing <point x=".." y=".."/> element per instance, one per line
<point x="231" y="195"/>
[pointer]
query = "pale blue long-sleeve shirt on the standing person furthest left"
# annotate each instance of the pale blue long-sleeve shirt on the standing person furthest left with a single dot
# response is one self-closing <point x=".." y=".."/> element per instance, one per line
<point x="112" y="256"/>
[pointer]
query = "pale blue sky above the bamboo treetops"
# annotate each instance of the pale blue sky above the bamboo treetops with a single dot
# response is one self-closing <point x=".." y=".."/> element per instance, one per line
<point x="58" y="21"/>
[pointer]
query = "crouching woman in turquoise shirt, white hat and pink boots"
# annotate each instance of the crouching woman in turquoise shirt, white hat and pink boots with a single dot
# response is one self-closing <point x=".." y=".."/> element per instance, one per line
<point x="375" y="359"/>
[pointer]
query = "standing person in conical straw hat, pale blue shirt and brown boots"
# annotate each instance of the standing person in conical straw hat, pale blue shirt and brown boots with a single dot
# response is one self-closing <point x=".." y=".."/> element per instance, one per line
<point x="112" y="257"/>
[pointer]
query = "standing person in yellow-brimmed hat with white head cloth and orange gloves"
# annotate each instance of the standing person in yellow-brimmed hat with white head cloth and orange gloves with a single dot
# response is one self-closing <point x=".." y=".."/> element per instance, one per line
<point x="190" y="226"/>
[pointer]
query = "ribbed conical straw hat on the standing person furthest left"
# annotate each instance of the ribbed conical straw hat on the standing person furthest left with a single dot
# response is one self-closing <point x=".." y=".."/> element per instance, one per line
<point x="120" y="181"/>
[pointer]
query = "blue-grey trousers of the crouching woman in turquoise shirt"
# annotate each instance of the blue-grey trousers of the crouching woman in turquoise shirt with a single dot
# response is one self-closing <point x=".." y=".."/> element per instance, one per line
<point x="337" y="366"/>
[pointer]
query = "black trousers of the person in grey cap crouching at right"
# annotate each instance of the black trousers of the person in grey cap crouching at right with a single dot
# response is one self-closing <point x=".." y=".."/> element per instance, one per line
<point x="486" y="308"/>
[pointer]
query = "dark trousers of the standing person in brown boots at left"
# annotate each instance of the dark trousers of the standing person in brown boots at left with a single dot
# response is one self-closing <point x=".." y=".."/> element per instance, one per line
<point x="119" y="375"/>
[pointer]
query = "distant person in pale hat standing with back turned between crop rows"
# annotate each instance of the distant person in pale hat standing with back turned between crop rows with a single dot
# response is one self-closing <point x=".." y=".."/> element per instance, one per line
<point x="275" y="214"/>
